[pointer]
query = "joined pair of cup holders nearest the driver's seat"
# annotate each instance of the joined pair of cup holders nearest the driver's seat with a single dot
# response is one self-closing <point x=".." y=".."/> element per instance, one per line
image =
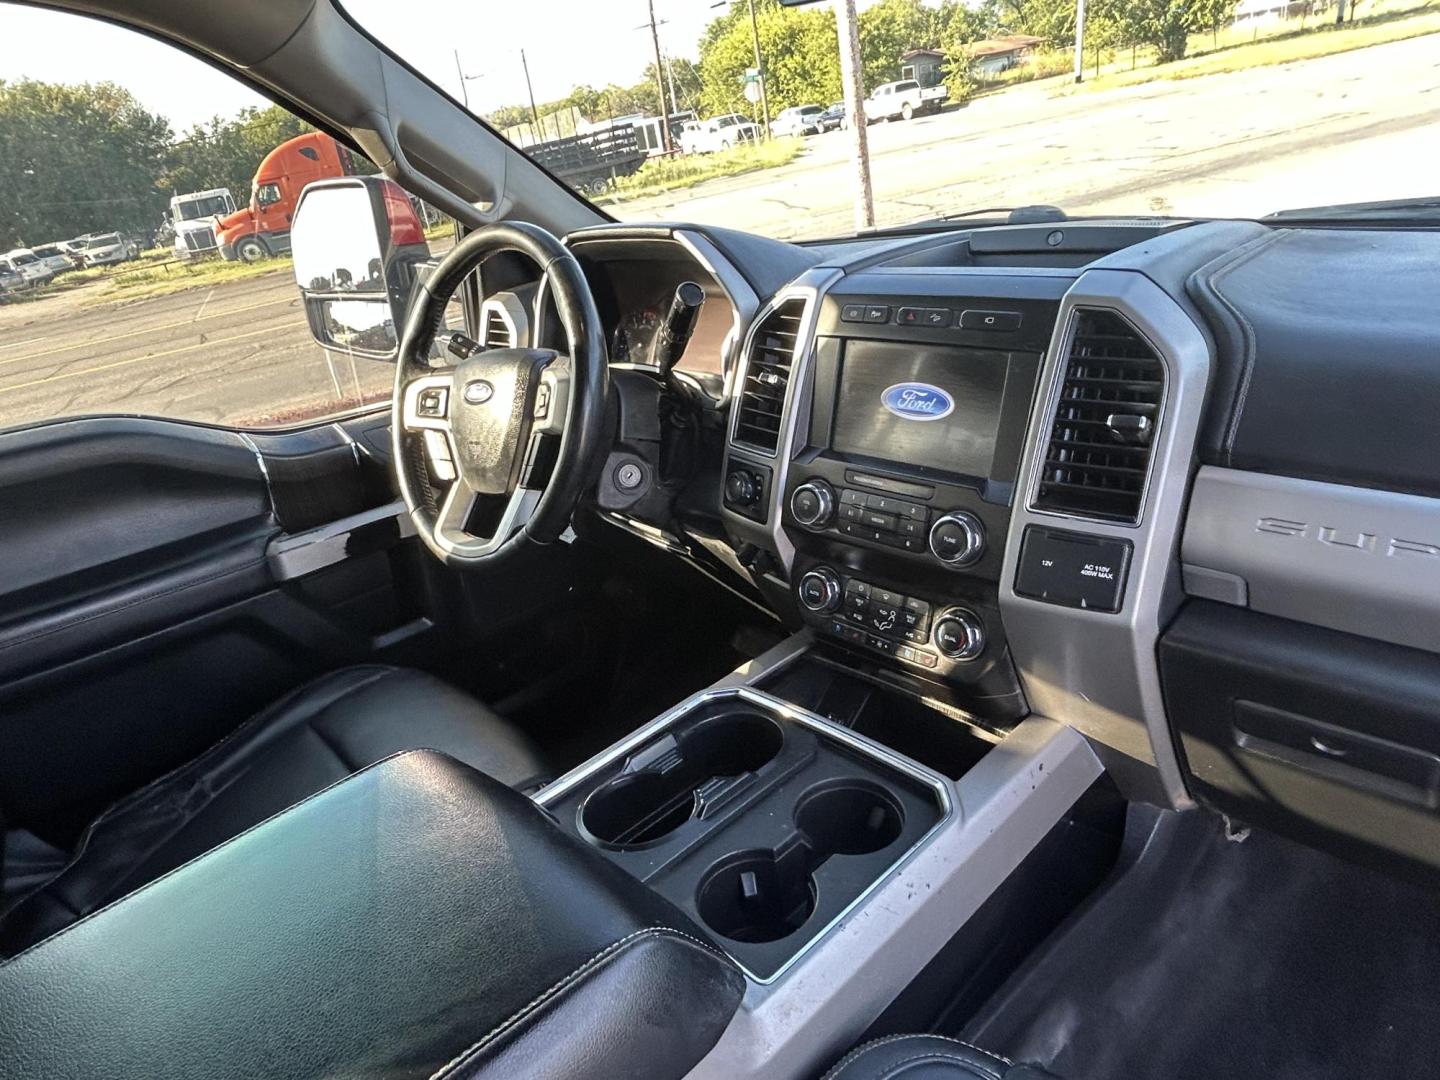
<point x="643" y="807"/>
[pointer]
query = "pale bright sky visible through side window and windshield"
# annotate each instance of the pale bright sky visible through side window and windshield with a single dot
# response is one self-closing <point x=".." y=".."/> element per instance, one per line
<point x="568" y="44"/>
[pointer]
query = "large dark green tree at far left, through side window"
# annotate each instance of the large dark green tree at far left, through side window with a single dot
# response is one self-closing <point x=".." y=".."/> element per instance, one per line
<point x="77" y="159"/>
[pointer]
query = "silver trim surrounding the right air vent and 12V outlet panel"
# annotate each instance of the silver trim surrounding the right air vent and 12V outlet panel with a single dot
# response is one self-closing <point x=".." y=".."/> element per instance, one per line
<point x="1098" y="672"/>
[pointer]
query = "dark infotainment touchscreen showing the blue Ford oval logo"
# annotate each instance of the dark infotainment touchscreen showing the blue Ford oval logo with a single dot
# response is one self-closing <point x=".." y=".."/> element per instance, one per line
<point x="921" y="405"/>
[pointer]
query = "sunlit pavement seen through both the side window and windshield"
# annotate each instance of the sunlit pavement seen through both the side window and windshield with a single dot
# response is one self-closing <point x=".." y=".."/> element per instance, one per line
<point x="1363" y="125"/>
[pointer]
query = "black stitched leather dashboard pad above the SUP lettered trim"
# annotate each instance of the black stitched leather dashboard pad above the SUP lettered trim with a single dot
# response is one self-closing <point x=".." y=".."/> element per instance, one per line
<point x="1328" y="368"/>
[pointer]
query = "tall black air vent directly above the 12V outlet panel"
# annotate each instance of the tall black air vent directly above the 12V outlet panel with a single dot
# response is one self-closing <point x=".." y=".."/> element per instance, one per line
<point x="1099" y="450"/>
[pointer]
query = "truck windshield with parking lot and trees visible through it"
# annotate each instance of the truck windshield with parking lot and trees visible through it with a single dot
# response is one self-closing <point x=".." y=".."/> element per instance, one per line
<point x="1225" y="109"/>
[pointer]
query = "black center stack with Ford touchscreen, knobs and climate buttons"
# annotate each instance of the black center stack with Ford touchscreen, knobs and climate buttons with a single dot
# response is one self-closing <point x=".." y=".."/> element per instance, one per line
<point x="909" y="426"/>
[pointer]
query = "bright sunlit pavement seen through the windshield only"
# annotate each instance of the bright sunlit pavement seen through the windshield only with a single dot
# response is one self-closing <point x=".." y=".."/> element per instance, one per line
<point x="1363" y="125"/>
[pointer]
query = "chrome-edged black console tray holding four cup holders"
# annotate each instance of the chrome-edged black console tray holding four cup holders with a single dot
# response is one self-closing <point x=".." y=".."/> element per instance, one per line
<point x="758" y="820"/>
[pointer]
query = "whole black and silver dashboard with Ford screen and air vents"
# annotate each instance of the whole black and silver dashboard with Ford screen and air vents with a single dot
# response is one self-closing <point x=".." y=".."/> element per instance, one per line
<point x="1163" y="482"/>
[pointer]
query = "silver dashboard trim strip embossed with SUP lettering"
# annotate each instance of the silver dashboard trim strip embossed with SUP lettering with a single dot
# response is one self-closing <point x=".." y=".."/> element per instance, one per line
<point x="1351" y="559"/>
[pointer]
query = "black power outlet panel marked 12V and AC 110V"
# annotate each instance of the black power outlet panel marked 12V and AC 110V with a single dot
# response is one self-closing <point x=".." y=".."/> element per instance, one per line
<point x="1074" y="570"/>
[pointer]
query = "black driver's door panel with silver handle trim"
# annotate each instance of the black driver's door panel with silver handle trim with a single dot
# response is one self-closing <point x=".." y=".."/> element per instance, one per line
<point x="145" y="611"/>
